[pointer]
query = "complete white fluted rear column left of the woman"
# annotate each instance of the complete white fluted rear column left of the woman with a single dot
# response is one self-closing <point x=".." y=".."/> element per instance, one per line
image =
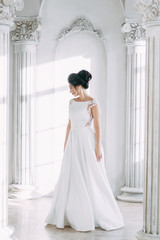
<point x="25" y="39"/>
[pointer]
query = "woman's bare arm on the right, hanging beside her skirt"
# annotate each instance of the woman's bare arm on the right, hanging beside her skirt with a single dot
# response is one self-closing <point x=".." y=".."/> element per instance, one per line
<point x="96" y="115"/>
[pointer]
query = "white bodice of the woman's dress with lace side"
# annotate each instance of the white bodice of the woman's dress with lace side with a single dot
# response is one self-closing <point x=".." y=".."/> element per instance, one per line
<point x="80" y="113"/>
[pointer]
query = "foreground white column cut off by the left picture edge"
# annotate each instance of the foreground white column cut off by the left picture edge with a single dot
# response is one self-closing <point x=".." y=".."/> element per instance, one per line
<point x="7" y="9"/>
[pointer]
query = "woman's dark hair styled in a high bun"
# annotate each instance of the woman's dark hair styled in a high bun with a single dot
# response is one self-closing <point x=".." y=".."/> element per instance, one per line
<point x="81" y="78"/>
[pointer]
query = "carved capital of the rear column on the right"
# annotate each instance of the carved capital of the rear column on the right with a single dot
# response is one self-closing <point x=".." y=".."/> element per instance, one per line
<point x="133" y="32"/>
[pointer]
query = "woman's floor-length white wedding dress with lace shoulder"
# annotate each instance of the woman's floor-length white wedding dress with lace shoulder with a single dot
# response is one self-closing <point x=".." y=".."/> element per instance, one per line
<point x="83" y="198"/>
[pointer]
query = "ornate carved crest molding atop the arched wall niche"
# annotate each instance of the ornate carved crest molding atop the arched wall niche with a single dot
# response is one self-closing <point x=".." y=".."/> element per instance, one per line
<point x="81" y="25"/>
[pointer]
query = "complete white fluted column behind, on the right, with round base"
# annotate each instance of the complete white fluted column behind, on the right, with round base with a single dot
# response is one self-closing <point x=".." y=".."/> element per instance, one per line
<point x="134" y="36"/>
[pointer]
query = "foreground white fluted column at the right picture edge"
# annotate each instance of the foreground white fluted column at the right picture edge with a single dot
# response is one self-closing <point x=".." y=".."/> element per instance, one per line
<point x="151" y="214"/>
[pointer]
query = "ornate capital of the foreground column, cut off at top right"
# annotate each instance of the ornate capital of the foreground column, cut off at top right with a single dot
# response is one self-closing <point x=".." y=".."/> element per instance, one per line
<point x="149" y="9"/>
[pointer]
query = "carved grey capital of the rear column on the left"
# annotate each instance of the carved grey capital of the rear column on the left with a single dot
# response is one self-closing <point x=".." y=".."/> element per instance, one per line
<point x="27" y="29"/>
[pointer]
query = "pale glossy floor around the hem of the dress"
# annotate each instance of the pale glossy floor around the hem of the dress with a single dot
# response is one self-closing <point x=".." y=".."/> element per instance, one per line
<point x="27" y="217"/>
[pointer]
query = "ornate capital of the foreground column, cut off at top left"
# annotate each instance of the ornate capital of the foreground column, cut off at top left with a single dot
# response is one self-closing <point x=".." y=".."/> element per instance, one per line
<point x="8" y="9"/>
